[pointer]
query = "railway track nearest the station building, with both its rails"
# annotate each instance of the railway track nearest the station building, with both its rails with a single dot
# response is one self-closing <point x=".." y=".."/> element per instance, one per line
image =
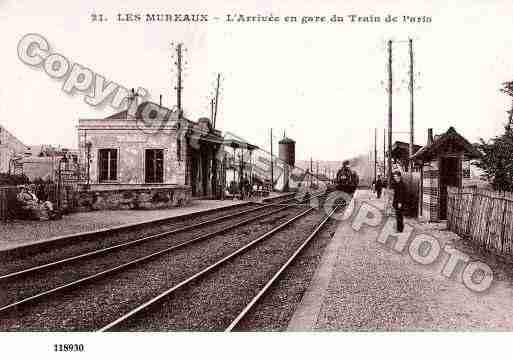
<point x="10" y="282"/>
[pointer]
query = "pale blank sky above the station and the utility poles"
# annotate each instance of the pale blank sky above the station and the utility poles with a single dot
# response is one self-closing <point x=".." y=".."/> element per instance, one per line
<point x="322" y="83"/>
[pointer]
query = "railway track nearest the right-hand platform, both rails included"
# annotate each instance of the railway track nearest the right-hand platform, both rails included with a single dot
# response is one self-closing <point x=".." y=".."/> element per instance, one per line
<point x="139" y="317"/>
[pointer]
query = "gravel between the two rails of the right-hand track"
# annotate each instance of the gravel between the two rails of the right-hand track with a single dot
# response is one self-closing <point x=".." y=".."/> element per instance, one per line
<point x="211" y="302"/>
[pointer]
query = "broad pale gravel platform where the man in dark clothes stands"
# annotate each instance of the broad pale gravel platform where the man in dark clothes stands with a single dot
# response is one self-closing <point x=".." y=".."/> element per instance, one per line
<point x="362" y="284"/>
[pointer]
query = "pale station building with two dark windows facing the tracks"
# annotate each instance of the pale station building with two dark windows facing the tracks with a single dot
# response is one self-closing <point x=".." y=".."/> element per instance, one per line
<point x="148" y="161"/>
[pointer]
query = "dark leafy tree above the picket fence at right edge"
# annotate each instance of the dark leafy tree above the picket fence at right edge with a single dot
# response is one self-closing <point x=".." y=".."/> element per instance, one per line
<point x="497" y="160"/>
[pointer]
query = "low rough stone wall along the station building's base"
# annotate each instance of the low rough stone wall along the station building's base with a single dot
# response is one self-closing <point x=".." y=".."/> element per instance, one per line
<point x="133" y="198"/>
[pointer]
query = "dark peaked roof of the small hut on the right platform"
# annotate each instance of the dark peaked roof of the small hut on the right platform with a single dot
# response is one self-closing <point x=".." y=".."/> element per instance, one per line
<point x="450" y="141"/>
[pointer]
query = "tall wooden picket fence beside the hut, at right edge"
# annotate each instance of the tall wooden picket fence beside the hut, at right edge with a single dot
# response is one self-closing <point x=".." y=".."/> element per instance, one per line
<point x="482" y="216"/>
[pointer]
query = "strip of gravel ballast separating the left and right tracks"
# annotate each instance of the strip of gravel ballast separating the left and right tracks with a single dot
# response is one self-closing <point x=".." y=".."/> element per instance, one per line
<point x="97" y="304"/>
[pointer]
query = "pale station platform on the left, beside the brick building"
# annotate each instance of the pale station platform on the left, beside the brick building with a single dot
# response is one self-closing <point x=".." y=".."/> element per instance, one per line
<point x="22" y="233"/>
